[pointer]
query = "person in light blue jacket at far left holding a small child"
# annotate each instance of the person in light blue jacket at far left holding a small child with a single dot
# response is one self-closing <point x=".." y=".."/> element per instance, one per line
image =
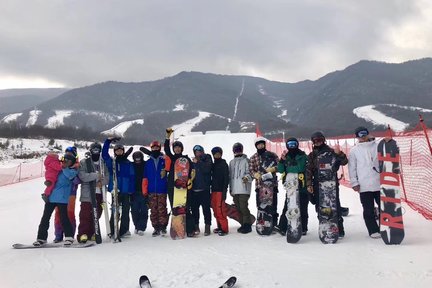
<point x="59" y="198"/>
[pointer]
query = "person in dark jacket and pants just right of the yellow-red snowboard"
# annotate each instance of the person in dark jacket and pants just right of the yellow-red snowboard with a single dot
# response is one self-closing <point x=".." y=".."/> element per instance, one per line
<point x="200" y="195"/>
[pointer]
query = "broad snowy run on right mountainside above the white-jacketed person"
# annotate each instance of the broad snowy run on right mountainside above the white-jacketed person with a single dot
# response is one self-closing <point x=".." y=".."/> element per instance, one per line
<point x="375" y="117"/>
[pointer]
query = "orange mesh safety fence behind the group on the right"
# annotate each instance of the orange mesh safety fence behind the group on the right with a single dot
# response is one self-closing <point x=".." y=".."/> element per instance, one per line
<point x="415" y="162"/>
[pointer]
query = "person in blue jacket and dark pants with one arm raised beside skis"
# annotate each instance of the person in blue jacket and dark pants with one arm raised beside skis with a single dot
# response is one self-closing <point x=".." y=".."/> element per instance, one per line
<point x="125" y="181"/>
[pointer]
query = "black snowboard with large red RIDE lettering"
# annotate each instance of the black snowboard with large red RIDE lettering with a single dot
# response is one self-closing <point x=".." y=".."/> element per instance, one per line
<point x="391" y="222"/>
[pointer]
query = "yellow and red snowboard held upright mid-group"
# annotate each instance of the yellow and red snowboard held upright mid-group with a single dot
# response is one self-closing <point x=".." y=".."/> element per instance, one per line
<point x="179" y="210"/>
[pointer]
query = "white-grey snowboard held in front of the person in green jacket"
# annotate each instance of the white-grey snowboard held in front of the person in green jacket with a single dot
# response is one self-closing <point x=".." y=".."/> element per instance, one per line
<point x="294" y="225"/>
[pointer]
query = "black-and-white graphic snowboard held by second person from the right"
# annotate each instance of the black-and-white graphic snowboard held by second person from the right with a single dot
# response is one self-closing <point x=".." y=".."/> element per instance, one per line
<point x="328" y="230"/>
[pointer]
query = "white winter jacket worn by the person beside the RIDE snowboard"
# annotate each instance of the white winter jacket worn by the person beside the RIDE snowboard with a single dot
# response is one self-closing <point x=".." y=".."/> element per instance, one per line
<point x="363" y="158"/>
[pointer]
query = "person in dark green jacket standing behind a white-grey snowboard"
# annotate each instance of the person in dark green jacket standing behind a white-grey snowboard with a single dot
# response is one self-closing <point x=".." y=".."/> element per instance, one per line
<point x="294" y="160"/>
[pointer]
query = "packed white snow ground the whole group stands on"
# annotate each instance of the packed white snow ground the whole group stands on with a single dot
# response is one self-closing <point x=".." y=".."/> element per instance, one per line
<point x="257" y="261"/>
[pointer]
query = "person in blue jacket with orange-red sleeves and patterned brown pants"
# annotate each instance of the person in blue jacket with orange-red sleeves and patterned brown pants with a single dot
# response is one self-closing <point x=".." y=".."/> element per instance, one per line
<point x="155" y="188"/>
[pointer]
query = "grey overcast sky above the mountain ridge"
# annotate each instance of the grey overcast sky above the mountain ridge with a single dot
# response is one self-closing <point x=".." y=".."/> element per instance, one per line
<point x="77" y="43"/>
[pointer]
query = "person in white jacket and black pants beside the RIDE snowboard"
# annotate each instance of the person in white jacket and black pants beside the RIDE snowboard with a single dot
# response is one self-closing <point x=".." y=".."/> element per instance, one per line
<point x="364" y="177"/>
